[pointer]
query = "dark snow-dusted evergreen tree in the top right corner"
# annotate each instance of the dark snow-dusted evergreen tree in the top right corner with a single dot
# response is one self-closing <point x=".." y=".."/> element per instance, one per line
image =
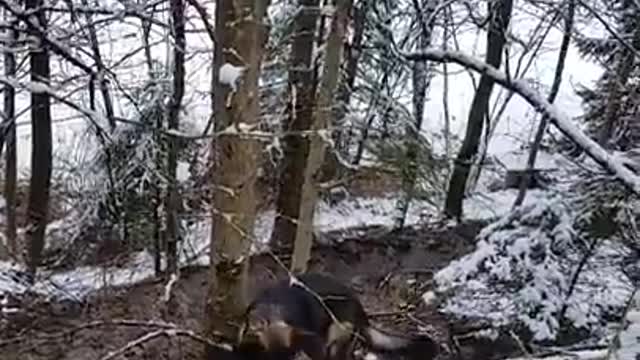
<point x="613" y="104"/>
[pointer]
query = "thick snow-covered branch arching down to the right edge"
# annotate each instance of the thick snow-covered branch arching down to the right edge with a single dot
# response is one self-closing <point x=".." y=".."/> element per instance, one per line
<point x="535" y="99"/>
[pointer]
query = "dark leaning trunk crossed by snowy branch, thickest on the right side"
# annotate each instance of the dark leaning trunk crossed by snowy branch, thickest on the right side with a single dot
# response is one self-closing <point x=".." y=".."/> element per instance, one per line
<point x="500" y="14"/>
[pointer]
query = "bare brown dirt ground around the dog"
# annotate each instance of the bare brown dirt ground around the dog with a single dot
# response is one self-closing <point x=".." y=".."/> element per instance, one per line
<point x="389" y="271"/>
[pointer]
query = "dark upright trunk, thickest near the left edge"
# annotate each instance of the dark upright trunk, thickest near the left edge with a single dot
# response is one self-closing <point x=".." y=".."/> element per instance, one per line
<point x="41" y="157"/>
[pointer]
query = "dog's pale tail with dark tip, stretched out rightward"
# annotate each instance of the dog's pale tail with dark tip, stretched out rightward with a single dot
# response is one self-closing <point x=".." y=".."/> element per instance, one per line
<point x="416" y="347"/>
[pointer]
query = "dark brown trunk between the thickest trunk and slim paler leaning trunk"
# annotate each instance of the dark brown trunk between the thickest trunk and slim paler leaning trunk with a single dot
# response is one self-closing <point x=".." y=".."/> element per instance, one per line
<point x="296" y="147"/>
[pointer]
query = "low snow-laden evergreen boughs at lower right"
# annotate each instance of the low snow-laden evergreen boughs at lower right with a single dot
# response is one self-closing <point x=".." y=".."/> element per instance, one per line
<point x="522" y="267"/>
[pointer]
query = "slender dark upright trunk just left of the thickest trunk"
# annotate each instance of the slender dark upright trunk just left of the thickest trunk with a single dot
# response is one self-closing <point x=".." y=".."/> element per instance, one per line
<point x="173" y="197"/>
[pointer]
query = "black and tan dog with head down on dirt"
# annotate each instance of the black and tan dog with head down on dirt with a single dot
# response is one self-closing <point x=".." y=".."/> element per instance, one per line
<point x="323" y="318"/>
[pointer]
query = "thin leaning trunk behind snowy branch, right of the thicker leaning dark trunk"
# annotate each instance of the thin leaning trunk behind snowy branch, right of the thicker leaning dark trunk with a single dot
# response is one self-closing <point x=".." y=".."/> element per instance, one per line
<point x="555" y="87"/>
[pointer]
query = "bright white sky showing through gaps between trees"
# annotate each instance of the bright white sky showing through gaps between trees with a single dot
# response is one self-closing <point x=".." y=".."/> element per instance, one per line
<point x="517" y="124"/>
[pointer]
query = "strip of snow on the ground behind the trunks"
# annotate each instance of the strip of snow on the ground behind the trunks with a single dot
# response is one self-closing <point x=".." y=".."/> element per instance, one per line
<point x="77" y="283"/>
